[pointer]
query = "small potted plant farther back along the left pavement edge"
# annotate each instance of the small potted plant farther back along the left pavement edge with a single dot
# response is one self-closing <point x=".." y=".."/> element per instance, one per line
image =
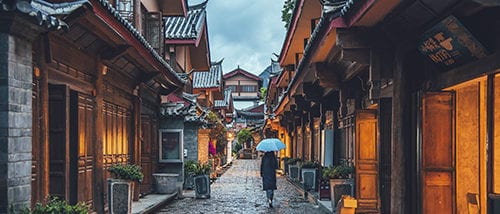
<point x="202" y="180"/>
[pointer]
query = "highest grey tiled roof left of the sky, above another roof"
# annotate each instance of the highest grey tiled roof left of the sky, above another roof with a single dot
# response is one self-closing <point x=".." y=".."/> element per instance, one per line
<point x="188" y="27"/>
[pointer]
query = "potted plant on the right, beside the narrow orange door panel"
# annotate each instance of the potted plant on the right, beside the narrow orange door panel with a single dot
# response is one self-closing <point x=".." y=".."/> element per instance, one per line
<point x="341" y="182"/>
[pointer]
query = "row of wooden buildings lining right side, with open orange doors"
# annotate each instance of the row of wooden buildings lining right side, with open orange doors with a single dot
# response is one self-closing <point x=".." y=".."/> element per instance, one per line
<point x="408" y="89"/>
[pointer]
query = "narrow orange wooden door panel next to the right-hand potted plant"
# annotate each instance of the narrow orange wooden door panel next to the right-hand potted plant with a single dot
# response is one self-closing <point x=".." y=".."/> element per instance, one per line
<point x="366" y="162"/>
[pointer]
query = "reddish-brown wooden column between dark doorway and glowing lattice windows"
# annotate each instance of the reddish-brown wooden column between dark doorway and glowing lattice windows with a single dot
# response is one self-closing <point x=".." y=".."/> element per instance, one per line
<point x="98" y="141"/>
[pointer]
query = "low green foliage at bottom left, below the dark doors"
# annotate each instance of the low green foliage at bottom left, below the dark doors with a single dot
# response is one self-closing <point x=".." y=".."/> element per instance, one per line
<point x="55" y="206"/>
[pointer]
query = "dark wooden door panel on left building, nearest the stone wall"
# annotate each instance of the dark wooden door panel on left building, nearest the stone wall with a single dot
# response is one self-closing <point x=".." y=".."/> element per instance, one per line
<point x="58" y="138"/>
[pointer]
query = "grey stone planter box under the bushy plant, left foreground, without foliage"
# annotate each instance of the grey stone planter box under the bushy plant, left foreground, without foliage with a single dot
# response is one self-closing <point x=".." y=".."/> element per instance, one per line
<point x="120" y="196"/>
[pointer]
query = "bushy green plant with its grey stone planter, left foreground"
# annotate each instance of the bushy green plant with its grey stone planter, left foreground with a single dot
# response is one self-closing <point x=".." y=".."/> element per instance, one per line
<point x="121" y="186"/>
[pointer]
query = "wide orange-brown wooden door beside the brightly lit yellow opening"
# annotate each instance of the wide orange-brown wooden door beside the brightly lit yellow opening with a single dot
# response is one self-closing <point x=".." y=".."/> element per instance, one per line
<point x="437" y="153"/>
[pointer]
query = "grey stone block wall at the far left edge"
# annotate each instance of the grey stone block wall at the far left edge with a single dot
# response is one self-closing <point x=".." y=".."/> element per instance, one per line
<point x="15" y="122"/>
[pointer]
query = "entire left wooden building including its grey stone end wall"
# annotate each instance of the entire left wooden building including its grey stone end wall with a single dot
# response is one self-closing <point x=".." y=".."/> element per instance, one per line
<point x="95" y="89"/>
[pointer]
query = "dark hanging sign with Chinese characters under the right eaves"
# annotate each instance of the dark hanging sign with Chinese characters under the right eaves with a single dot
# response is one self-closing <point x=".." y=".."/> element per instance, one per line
<point x="449" y="44"/>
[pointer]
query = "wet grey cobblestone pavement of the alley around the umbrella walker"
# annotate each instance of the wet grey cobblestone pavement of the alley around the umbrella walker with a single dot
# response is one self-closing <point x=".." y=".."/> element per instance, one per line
<point x="239" y="190"/>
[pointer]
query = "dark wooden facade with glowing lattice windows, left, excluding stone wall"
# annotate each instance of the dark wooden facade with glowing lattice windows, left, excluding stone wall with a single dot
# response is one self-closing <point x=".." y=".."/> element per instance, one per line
<point x="95" y="102"/>
